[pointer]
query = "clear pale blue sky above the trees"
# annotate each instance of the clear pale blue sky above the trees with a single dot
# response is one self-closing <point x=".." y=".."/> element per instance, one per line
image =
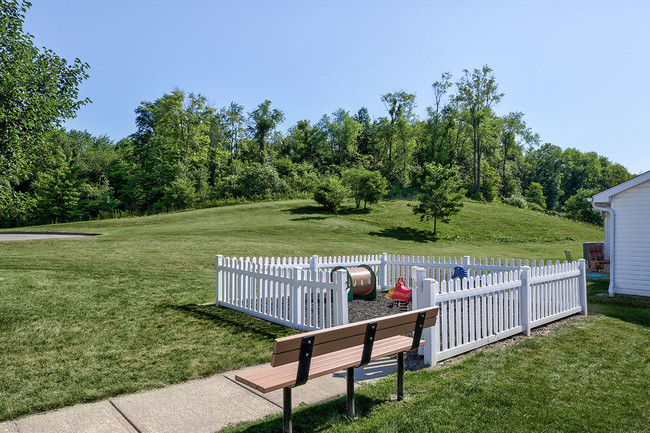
<point x="577" y="69"/>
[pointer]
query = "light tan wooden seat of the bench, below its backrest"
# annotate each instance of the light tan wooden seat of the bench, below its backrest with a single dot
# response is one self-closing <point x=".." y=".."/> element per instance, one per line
<point x="269" y="378"/>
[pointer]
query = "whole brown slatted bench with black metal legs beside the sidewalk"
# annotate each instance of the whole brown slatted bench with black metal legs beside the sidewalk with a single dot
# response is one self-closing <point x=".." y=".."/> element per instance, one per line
<point x="298" y="358"/>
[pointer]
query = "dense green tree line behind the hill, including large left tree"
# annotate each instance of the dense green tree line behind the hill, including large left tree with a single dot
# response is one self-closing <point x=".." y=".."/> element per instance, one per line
<point x="184" y="152"/>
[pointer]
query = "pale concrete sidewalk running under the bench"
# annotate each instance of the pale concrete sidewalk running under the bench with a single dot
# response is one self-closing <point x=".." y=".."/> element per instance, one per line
<point x="199" y="406"/>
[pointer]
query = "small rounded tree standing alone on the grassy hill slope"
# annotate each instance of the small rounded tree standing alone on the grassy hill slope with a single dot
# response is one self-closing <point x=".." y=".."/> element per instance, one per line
<point x="440" y="195"/>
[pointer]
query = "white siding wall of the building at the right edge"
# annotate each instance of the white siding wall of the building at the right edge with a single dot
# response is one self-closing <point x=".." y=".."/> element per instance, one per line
<point x="632" y="238"/>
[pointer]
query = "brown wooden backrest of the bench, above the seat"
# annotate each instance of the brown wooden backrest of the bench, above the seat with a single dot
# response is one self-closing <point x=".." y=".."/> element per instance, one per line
<point x="324" y="341"/>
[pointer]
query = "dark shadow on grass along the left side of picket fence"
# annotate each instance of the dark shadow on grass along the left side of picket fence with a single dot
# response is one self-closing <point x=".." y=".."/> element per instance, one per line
<point x="233" y="321"/>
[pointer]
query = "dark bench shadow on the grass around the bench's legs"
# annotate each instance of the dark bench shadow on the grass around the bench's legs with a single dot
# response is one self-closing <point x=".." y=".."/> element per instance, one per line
<point x="315" y="417"/>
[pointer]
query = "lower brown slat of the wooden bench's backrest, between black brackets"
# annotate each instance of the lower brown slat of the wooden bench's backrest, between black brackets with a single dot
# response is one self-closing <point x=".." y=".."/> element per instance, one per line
<point x="279" y="359"/>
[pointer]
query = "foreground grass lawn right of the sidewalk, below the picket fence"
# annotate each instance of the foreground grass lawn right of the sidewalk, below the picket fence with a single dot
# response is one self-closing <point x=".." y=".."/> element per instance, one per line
<point x="586" y="375"/>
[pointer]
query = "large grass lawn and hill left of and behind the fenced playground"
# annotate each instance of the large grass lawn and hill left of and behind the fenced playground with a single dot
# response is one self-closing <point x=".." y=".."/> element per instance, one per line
<point x="85" y="319"/>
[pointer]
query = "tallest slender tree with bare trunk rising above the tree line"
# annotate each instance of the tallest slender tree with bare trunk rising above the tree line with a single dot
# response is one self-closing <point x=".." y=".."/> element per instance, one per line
<point x="477" y="92"/>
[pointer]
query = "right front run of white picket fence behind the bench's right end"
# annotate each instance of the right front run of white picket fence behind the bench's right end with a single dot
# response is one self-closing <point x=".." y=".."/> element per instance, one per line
<point x="481" y="310"/>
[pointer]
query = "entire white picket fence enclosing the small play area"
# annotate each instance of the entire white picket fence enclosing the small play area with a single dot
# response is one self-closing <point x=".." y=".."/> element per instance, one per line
<point x="498" y="299"/>
